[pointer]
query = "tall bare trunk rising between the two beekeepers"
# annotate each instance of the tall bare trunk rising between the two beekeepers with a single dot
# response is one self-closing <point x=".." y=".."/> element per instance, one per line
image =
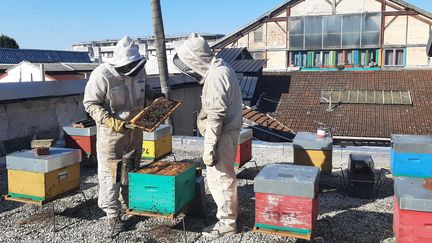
<point x="159" y="34"/>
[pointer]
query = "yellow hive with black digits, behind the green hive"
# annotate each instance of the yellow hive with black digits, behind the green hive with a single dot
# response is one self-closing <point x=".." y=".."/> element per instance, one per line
<point x="158" y="143"/>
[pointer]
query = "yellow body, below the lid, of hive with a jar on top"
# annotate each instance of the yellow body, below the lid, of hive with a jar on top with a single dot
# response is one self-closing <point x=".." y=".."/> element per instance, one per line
<point x="318" y="158"/>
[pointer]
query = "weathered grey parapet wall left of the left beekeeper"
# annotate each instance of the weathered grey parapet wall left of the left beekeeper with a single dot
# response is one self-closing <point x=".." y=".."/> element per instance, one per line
<point x="20" y="121"/>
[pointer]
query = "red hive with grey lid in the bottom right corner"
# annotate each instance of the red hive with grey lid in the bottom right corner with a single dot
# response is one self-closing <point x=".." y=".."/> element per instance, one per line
<point x="412" y="218"/>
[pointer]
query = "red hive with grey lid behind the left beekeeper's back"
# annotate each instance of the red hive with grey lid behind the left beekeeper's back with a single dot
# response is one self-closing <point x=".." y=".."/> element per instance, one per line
<point x="81" y="138"/>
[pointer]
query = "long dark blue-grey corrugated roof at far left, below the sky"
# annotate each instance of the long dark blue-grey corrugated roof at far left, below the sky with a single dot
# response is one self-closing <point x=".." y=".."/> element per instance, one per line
<point x="15" y="56"/>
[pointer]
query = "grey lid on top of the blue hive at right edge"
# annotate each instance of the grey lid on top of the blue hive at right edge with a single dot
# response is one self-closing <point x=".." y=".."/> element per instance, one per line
<point x="419" y="144"/>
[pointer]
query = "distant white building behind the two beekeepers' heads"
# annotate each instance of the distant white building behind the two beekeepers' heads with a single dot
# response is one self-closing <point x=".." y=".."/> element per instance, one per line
<point x="101" y="51"/>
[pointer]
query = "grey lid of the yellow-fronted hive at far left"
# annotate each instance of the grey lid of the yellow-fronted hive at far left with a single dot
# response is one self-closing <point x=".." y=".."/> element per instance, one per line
<point x="28" y="161"/>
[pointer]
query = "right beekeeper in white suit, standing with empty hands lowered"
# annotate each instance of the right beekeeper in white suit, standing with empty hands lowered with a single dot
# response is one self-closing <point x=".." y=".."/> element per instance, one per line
<point x="219" y="122"/>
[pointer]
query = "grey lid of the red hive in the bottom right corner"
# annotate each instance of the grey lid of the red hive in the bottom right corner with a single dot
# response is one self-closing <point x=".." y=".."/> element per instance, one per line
<point x="411" y="195"/>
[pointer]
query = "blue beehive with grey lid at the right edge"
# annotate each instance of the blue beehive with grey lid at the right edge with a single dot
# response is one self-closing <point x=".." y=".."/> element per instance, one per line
<point x="411" y="156"/>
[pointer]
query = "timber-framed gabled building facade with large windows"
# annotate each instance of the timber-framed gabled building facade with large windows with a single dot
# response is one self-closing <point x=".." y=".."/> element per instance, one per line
<point x="337" y="34"/>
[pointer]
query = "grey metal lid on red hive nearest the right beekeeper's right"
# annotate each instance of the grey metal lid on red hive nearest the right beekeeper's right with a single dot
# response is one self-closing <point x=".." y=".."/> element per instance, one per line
<point x="288" y="179"/>
